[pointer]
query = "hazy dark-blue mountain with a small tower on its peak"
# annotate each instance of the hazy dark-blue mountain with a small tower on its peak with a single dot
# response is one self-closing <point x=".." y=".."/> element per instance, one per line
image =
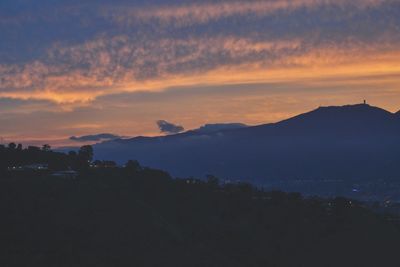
<point x="354" y="142"/>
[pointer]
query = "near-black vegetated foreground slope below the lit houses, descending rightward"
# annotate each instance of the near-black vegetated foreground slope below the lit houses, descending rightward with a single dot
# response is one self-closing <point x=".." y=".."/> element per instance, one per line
<point x="134" y="216"/>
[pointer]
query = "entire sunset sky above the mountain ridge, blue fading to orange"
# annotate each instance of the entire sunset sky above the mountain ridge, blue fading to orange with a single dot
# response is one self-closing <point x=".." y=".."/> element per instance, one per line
<point x="73" y="68"/>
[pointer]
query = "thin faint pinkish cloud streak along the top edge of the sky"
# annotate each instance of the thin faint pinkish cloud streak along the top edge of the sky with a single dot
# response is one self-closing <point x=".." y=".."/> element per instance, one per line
<point x="189" y="14"/>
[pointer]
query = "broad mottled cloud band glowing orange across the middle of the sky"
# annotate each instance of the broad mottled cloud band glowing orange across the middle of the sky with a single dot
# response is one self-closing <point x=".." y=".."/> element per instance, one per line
<point x="118" y="65"/>
